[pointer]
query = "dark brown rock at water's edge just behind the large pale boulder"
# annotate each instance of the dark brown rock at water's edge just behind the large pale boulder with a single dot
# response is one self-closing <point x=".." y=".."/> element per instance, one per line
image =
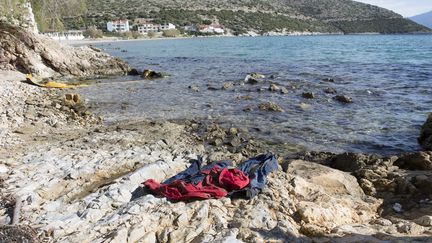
<point x="348" y="162"/>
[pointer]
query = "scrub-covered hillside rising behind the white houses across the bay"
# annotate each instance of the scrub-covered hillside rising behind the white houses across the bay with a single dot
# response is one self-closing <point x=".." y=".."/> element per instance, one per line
<point x="260" y="16"/>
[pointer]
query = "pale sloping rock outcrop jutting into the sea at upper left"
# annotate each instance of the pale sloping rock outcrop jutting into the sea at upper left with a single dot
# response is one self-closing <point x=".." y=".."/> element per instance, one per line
<point x="31" y="53"/>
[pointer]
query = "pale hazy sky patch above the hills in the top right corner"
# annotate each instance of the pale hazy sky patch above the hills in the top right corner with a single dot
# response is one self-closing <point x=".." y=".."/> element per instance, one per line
<point x="407" y="8"/>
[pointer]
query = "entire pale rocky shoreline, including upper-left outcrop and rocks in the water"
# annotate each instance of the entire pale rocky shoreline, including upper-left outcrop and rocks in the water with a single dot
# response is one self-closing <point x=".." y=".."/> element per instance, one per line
<point x="67" y="177"/>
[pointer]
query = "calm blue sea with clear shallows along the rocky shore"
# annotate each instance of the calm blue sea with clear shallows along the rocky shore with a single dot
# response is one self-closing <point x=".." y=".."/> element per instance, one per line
<point x="388" y="77"/>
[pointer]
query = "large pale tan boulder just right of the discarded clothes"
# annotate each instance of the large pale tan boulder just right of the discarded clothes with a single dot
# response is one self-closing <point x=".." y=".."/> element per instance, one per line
<point x="329" y="198"/>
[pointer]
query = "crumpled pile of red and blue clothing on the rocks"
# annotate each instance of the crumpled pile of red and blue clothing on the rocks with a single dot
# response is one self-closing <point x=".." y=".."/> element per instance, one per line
<point x="216" y="180"/>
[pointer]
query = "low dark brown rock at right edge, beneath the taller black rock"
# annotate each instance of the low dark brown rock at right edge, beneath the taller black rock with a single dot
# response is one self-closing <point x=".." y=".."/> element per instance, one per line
<point x="415" y="161"/>
